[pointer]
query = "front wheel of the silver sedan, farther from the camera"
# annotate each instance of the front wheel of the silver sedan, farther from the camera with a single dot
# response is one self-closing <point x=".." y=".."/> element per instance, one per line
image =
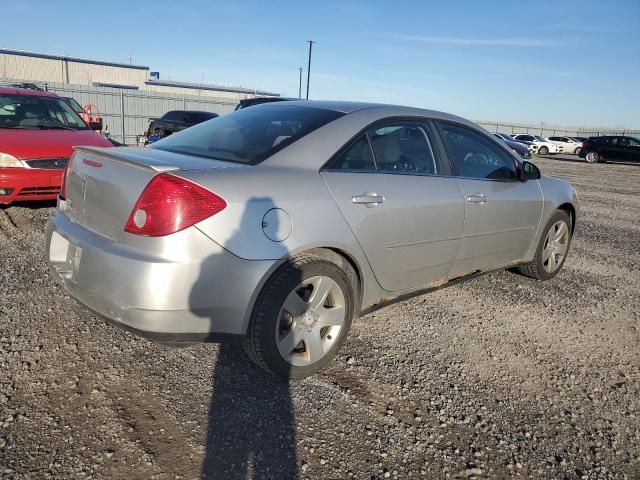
<point x="541" y="267"/>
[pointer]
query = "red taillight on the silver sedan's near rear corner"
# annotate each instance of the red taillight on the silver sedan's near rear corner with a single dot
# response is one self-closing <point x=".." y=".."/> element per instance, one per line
<point x="169" y="204"/>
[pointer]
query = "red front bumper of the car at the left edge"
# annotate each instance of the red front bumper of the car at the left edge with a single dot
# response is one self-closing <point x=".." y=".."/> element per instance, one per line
<point x="26" y="184"/>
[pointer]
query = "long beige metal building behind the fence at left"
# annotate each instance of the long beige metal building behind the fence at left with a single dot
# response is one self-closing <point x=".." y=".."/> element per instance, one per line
<point x="44" y="67"/>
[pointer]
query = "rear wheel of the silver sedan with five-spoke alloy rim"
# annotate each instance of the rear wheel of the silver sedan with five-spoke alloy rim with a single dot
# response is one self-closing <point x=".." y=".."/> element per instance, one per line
<point x="271" y="323"/>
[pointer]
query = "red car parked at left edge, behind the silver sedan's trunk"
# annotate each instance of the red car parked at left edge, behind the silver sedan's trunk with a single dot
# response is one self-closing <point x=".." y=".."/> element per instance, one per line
<point x="38" y="131"/>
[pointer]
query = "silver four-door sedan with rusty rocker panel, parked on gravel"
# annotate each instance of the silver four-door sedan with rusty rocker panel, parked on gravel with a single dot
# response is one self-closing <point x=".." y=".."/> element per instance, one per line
<point x="275" y="226"/>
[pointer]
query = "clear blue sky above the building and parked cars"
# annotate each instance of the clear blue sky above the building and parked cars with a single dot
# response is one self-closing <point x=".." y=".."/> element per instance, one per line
<point x="573" y="62"/>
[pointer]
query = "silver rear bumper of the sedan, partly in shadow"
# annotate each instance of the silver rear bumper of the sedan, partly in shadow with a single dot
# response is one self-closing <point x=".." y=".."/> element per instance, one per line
<point x="203" y="296"/>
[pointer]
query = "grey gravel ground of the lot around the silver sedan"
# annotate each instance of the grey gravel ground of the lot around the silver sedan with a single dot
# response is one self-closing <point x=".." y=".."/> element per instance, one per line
<point x="497" y="377"/>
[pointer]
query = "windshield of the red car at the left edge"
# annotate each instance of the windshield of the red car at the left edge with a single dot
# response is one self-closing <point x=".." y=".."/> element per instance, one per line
<point x="33" y="112"/>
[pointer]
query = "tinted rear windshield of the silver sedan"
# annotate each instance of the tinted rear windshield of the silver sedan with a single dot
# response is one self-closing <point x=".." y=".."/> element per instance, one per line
<point x="248" y="135"/>
